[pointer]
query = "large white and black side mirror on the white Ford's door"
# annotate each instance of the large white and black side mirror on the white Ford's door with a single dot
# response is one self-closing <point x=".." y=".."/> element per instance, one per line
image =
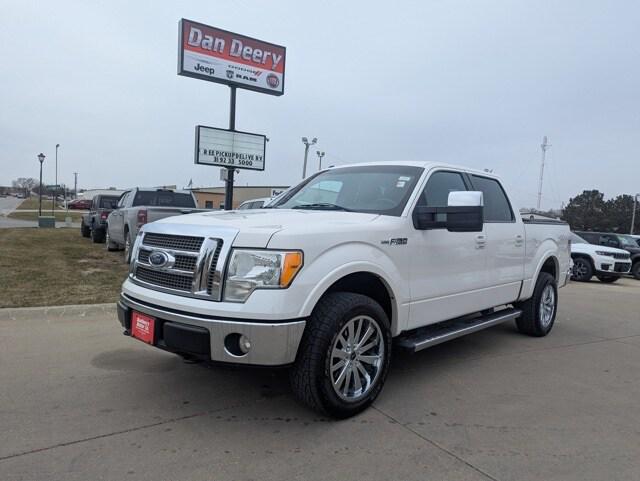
<point x="464" y="213"/>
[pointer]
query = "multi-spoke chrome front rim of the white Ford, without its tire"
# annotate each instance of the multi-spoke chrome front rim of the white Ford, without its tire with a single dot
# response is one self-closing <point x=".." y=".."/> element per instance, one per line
<point x="357" y="357"/>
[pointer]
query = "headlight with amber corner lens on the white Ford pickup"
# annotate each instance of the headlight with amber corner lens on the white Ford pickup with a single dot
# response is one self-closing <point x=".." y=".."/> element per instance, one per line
<point x="259" y="269"/>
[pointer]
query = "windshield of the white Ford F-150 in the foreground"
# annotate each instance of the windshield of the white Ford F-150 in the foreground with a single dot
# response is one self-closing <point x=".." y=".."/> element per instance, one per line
<point x="379" y="189"/>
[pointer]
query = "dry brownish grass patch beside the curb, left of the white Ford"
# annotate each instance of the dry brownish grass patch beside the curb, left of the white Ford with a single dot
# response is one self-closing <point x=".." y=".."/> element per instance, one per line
<point x="51" y="267"/>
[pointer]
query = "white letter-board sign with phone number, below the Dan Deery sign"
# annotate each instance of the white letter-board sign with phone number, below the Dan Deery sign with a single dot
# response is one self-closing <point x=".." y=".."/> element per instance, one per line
<point x="228" y="148"/>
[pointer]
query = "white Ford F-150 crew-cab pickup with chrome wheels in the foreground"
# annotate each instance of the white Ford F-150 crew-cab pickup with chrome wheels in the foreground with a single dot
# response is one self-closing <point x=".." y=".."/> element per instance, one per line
<point x="351" y="259"/>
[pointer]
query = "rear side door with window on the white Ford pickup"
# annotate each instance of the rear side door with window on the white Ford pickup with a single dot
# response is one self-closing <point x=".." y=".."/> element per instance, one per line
<point x="505" y="247"/>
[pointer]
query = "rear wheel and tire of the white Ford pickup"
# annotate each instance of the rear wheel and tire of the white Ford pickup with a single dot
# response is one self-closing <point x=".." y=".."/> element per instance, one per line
<point x="533" y="322"/>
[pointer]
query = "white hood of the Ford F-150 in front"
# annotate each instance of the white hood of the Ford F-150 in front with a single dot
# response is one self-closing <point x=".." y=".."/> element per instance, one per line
<point x="256" y="226"/>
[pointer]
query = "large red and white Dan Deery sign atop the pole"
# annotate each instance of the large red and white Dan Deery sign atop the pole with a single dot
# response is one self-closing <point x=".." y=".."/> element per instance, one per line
<point x="212" y="54"/>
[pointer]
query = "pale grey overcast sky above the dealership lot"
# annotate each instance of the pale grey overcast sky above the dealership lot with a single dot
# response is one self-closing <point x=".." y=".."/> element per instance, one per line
<point x="473" y="83"/>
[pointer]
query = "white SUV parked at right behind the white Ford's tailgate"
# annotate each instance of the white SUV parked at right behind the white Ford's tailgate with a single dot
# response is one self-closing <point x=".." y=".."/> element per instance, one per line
<point x="606" y="263"/>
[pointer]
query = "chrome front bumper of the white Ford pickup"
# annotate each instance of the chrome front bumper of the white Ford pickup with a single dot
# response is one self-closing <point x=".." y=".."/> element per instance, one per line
<point x="272" y="343"/>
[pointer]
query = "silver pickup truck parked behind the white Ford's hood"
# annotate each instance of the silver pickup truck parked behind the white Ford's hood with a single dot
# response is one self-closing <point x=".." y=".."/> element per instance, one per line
<point x="138" y="206"/>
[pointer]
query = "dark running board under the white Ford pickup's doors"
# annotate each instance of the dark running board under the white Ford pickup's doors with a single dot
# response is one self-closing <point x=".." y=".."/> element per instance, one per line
<point x="447" y="330"/>
